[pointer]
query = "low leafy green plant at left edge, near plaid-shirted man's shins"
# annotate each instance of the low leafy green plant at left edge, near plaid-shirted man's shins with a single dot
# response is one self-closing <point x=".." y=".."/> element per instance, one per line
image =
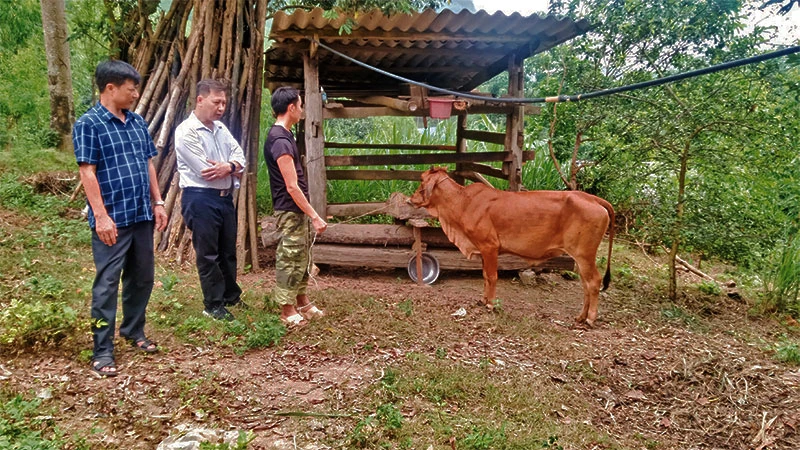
<point x="29" y="322"/>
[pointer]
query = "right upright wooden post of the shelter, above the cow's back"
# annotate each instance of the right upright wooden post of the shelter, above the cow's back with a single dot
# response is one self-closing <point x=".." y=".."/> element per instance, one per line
<point x="515" y="126"/>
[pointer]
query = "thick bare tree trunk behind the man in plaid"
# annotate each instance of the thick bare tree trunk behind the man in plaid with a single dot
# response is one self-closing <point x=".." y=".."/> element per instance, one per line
<point x="59" y="73"/>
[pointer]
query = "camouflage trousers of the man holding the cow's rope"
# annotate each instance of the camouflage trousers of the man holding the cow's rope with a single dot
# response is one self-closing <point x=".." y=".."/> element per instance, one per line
<point x="293" y="256"/>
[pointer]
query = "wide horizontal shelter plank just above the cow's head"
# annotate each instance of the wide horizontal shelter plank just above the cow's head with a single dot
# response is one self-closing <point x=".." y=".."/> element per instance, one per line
<point x="424" y="159"/>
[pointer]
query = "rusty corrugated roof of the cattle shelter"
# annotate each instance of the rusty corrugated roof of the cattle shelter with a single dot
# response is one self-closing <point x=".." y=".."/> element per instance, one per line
<point x="457" y="51"/>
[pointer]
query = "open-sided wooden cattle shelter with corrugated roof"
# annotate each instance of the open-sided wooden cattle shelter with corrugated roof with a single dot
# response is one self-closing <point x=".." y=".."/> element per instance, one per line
<point x="447" y="50"/>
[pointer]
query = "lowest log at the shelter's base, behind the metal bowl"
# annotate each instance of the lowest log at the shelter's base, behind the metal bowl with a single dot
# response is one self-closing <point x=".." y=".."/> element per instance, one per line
<point x="396" y="257"/>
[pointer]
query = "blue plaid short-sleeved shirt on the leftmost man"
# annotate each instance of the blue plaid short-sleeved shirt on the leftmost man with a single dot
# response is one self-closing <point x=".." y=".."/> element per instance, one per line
<point x="121" y="152"/>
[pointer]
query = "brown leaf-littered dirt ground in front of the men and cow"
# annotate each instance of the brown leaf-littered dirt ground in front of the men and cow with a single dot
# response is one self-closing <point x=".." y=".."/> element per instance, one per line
<point x="709" y="383"/>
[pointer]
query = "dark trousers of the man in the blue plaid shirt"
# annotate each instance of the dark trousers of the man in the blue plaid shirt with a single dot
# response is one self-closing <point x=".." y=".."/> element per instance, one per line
<point x="131" y="258"/>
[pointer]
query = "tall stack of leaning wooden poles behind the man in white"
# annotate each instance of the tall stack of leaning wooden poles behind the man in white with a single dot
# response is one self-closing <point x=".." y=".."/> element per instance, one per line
<point x="225" y="41"/>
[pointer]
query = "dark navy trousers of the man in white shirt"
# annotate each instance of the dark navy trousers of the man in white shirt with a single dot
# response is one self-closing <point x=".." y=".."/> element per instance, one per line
<point x="212" y="220"/>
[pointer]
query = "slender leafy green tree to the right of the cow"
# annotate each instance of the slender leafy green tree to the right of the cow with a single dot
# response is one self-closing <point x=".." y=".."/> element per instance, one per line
<point x="676" y="155"/>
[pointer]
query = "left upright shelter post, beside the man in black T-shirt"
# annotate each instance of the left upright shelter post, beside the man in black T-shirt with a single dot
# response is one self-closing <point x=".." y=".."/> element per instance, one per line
<point x="314" y="139"/>
